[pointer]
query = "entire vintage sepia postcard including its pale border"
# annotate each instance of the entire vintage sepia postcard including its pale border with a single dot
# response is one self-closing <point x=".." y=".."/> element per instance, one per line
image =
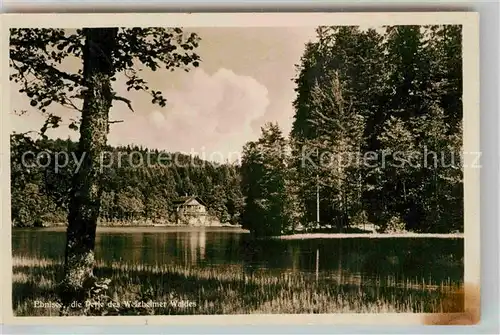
<point x="240" y="168"/>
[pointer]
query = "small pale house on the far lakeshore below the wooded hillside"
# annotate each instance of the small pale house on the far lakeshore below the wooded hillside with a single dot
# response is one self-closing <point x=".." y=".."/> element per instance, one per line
<point x="191" y="211"/>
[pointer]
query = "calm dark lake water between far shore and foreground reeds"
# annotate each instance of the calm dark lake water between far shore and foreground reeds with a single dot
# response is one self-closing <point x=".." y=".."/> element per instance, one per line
<point x="430" y="260"/>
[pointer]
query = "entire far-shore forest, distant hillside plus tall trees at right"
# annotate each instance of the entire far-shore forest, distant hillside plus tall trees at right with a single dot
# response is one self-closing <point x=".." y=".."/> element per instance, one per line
<point x="388" y="92"/>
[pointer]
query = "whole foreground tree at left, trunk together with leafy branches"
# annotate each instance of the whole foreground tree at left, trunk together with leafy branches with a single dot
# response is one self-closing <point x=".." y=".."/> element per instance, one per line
<point x="37" y="57"/>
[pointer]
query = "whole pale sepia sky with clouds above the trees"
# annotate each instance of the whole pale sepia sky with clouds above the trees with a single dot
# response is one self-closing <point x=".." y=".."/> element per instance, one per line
<point x="244" y="81"/>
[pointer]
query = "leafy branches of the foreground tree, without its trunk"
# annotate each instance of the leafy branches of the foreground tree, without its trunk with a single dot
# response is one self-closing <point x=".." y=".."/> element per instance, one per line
<point x="38" y="58"/>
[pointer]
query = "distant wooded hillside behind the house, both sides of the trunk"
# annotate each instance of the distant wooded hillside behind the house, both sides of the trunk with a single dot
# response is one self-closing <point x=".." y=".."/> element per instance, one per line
<point x="131" y="192"/>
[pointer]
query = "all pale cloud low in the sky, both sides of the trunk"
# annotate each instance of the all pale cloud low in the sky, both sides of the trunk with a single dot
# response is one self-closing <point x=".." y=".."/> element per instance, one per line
<point x="211" y="115"/>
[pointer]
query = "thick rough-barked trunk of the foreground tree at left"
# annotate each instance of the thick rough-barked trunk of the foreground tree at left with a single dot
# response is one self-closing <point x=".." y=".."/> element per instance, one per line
<point x="86" y="191"/>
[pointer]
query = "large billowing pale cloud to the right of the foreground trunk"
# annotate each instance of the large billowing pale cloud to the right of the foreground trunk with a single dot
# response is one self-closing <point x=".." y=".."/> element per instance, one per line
<point x="210" y="113"/>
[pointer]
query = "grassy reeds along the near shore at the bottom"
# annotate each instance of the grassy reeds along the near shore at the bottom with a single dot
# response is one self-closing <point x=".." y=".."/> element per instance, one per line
<point x="230" y="290"/>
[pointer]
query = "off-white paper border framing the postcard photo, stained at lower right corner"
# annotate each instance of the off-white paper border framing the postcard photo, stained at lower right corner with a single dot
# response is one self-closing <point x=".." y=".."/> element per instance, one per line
<point x="470" y="23"/>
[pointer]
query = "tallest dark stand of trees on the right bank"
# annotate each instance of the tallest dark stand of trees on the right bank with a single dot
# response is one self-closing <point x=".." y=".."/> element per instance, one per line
<point x="395" y="94"/>
